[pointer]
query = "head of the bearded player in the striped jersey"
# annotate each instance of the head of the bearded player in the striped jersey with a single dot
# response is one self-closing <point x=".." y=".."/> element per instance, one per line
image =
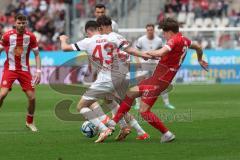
<point x="20" y="23"/>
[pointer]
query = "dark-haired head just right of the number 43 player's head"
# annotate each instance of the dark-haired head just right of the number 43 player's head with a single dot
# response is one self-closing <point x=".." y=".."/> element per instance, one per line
<point x="105" y="24"/>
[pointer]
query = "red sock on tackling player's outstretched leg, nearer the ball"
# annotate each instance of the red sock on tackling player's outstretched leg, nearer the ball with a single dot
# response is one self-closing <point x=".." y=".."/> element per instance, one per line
<point x="124" y="108"/>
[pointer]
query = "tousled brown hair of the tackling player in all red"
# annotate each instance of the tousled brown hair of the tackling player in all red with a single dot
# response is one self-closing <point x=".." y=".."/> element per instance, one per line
<point x="169" y="24"/>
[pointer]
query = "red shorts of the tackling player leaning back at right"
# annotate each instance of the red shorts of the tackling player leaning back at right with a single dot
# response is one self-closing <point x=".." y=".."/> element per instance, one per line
<point x="152" y="87"/>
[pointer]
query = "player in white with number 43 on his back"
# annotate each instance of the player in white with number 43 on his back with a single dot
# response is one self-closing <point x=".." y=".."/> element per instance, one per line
<point x="100" y="48"/>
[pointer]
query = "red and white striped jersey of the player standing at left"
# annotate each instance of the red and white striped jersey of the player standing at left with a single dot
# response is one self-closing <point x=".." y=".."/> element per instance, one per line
<point x="17" y="48"/>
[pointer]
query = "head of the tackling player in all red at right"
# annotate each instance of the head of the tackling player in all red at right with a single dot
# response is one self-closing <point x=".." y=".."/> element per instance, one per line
<point x="170" y="27"/>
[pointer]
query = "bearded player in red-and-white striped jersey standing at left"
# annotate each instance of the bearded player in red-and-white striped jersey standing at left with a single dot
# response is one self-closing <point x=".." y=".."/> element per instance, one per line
<point x="17" y="44"/>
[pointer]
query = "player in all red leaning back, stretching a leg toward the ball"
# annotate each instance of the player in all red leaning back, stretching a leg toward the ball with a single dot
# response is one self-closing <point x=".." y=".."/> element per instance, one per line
<point x="172" y="55"/>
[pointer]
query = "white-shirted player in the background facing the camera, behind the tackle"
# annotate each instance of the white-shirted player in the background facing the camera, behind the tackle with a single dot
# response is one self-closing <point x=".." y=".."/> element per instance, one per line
<point x="148" y="42"/>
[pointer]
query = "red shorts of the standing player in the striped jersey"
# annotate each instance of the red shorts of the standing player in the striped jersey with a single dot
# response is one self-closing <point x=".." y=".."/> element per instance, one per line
<point x="23" y="77"/>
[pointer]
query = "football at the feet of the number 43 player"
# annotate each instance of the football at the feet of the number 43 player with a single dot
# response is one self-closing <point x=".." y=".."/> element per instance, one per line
<point x="88" y="129"/>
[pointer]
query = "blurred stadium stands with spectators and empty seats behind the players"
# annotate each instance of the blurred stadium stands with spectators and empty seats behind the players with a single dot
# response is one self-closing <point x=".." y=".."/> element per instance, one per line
<point x="50" y="18"/>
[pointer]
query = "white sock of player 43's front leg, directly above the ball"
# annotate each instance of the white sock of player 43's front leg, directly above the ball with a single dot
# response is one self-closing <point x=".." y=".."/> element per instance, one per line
<point x="92" y="117"/>
